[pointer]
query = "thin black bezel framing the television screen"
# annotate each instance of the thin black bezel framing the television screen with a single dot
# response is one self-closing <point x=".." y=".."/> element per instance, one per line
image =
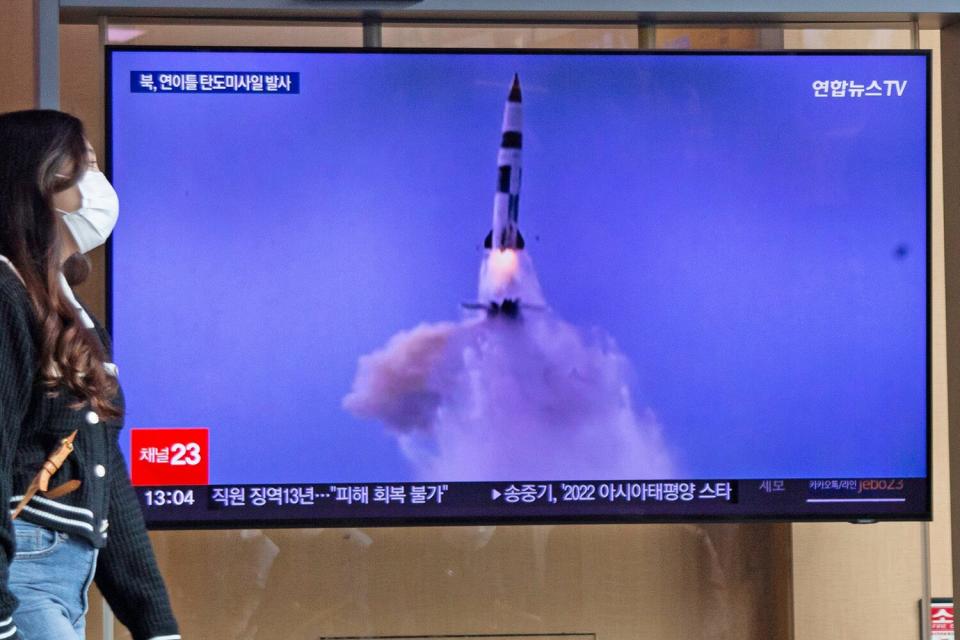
<point x="923" y="515"/>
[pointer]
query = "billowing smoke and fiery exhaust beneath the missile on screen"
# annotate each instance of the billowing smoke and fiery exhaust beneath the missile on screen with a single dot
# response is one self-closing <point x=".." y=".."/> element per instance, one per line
<point x="494" y="398"/>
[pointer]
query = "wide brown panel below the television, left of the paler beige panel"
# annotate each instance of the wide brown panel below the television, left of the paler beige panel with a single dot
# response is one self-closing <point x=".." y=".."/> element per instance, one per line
<point x="669" y="582"/>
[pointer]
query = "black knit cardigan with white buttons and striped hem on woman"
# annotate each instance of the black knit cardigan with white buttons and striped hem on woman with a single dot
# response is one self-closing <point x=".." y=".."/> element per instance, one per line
<point x="104" y="510"/>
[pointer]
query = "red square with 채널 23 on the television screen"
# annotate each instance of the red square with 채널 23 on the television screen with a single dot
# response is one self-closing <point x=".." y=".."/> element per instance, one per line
<point x="169" y="457"/>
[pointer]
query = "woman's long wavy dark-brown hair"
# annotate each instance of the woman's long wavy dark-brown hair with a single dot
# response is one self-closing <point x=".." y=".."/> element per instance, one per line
<point x="36" y="146"/>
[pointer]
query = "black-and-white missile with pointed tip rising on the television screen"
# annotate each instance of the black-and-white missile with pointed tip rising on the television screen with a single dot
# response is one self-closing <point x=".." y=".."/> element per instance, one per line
<point x="506" y="202"/>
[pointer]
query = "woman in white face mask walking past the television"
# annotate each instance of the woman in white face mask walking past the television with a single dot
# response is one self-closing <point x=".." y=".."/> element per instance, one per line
<point x="56" y="378"/>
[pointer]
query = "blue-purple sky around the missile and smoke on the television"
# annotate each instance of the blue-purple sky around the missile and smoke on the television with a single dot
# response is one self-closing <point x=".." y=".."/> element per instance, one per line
<point x="757" y="253"/>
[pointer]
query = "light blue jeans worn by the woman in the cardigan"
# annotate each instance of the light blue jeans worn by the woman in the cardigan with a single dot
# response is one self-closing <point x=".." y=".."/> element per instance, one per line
<point x="50" y="575"/>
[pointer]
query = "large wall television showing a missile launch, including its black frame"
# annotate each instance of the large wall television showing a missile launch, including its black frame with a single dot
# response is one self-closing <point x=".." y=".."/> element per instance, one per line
<point x="430" y="286"/>
